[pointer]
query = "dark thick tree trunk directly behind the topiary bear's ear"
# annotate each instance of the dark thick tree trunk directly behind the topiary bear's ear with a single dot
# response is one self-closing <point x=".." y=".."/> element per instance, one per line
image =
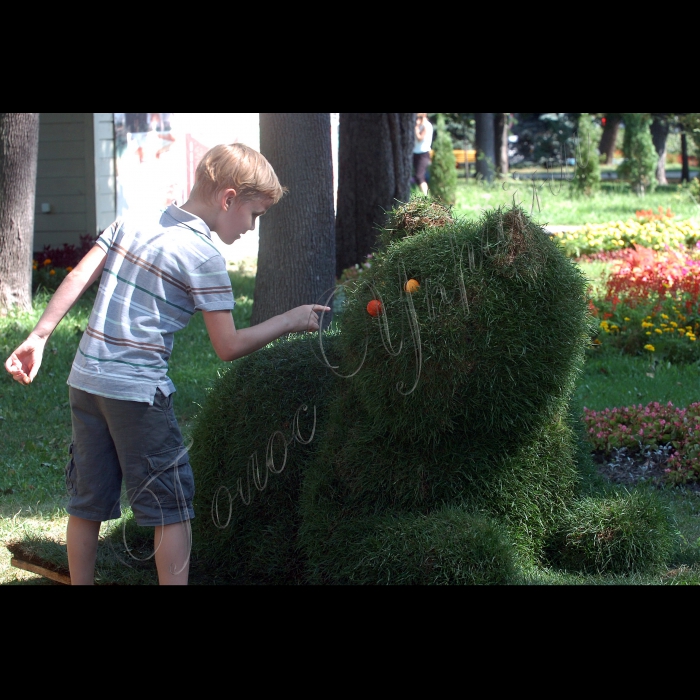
<point x="375" y="162"/>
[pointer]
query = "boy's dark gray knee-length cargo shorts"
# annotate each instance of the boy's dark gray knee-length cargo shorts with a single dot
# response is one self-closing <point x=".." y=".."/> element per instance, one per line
<point x="133" y="442"/>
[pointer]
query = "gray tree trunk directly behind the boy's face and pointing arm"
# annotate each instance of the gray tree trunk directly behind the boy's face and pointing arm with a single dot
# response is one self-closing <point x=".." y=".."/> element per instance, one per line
<point x="296" y="253"/>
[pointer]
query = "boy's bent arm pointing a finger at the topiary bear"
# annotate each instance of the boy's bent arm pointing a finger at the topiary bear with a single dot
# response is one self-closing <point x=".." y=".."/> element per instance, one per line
<point x="230" y="344"/>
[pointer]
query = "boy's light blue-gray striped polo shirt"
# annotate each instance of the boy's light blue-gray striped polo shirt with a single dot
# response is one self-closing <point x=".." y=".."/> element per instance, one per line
<point x="159" y="271"/>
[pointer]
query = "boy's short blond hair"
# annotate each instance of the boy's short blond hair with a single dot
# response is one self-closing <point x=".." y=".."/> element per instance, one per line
<point x="237" y="166"/>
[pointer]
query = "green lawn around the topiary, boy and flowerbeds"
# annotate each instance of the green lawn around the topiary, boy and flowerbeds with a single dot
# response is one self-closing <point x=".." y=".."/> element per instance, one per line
<point x="35" y="420"/>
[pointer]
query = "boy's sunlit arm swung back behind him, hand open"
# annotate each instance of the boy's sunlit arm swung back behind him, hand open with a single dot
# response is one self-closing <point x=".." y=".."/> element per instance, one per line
<point x="23" y="364"/>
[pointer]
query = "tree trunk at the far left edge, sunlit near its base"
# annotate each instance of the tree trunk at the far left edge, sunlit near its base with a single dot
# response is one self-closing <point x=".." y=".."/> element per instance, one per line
<point x="19" y="143"/>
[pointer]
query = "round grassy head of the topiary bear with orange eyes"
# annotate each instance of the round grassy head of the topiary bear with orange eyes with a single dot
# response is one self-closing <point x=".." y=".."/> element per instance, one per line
<point x="489" y="336"/>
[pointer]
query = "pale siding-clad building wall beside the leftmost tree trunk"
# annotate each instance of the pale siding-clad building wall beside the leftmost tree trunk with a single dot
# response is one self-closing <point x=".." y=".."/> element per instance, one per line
<point x="75" y="192"/>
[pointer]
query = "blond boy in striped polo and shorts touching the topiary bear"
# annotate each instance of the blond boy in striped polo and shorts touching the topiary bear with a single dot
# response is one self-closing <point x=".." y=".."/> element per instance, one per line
<point x="155" y="274"/>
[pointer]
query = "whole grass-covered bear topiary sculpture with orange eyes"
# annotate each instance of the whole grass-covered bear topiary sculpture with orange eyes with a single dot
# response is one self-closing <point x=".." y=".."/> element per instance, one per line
<point x="426" y="442"/>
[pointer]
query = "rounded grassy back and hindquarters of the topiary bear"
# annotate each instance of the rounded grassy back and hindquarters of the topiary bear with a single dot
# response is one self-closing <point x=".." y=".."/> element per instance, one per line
<point x="249" y="455"/>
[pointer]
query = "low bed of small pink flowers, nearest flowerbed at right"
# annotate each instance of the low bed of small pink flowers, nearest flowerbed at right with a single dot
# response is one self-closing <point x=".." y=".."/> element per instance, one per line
<point x="651" y="427"/>
